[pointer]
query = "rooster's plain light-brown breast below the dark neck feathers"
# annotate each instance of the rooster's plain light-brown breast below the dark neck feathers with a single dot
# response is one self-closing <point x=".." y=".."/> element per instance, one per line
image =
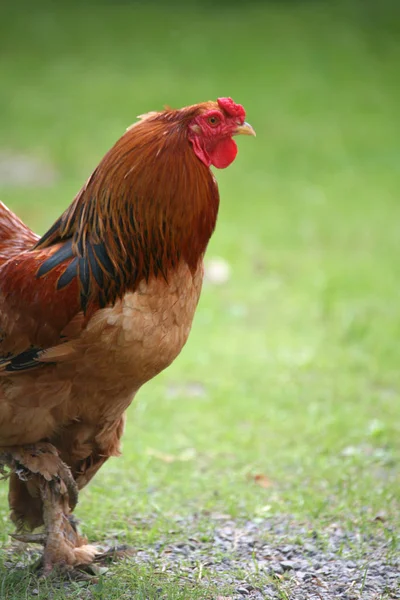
<point x="143" y="332"/>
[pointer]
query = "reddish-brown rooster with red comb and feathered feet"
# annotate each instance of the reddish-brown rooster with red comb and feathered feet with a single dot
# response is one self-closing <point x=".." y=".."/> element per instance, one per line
<point x="99" y="305"/>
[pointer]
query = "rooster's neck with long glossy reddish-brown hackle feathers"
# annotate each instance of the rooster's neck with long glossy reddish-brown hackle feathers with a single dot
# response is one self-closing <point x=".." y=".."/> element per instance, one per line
<point x="149" y="205"/>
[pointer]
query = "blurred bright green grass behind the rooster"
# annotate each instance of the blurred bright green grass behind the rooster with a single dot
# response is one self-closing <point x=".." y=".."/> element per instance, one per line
<point x="298" y="353"/>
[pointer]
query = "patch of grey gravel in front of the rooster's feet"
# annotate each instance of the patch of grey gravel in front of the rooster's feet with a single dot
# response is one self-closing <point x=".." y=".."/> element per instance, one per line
<point x="257" y="560"/>
